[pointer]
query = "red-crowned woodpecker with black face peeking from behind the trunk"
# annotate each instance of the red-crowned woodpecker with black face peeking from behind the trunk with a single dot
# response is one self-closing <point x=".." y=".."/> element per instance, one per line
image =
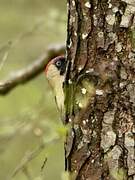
<point x="55" y="73"/>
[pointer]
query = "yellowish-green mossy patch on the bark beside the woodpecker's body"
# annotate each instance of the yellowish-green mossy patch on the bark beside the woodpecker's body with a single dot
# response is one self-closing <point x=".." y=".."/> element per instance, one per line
<point x="78" y="94"/>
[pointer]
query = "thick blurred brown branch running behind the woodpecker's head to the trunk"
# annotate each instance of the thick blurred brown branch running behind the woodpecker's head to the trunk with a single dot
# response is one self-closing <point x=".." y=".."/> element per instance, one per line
<point x="24" y="75"/>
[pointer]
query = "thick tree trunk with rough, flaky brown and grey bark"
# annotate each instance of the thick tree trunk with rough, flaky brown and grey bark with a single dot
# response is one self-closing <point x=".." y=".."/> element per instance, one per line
<point x="100" y="89"/>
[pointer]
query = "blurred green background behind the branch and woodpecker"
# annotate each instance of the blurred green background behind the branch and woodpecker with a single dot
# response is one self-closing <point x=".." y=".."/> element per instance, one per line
<point x="28" y="115"/>
